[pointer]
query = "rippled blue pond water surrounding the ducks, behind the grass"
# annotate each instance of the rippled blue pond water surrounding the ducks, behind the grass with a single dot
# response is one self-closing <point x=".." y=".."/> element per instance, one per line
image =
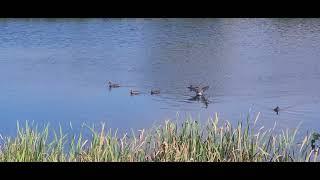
<point x="55" y="71"/>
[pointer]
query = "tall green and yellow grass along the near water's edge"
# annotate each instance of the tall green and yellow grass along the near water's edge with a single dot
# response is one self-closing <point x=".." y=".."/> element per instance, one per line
<point x="171" y="142"/>
